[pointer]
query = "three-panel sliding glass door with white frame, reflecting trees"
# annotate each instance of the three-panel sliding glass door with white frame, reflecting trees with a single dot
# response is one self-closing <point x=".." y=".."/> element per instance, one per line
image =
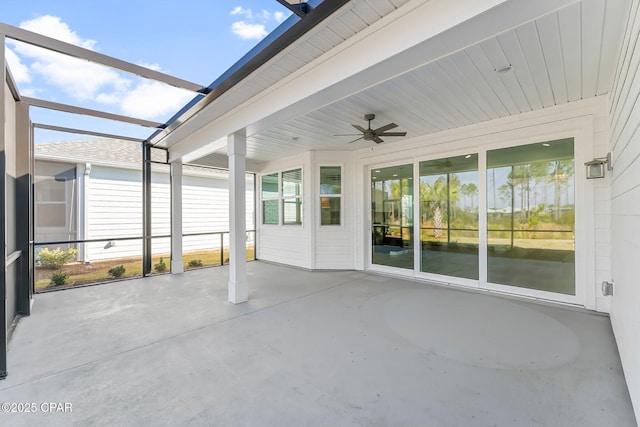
<point x="527" y="213"/>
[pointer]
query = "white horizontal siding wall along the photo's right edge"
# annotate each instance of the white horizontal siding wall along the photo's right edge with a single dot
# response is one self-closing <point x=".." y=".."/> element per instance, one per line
<point x="625" y="203"/>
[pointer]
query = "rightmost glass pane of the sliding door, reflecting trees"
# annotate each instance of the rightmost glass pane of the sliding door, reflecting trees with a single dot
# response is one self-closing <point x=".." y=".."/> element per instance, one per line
<point x="530" y="214"/>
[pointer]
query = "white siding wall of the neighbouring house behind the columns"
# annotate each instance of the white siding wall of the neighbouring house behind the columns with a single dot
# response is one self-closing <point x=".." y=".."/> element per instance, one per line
<point x="114" y="209"/>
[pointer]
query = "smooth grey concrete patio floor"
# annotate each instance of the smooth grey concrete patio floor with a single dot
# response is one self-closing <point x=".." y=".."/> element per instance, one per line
<point x="310" y="348"/>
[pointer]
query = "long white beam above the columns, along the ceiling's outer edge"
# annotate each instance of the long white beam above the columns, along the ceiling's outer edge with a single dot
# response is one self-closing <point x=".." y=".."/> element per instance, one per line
<point x="405" y="39"/>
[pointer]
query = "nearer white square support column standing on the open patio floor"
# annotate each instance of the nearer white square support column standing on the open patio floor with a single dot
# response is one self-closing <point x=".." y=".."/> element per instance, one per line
<point x="237" y="150"/>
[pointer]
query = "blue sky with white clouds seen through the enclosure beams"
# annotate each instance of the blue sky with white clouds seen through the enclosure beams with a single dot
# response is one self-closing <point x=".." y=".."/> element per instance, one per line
<point x="194" y="40"/>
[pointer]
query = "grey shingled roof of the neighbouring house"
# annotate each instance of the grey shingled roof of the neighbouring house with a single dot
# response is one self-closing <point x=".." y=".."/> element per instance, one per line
<point x="114" y="153"/>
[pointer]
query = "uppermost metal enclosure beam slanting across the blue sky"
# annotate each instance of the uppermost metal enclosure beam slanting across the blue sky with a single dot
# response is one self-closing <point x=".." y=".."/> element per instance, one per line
<point x="52" y="44"/>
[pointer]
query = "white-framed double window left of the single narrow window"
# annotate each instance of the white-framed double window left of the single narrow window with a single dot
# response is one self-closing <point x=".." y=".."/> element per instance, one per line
<point x="285" y="186"/>
